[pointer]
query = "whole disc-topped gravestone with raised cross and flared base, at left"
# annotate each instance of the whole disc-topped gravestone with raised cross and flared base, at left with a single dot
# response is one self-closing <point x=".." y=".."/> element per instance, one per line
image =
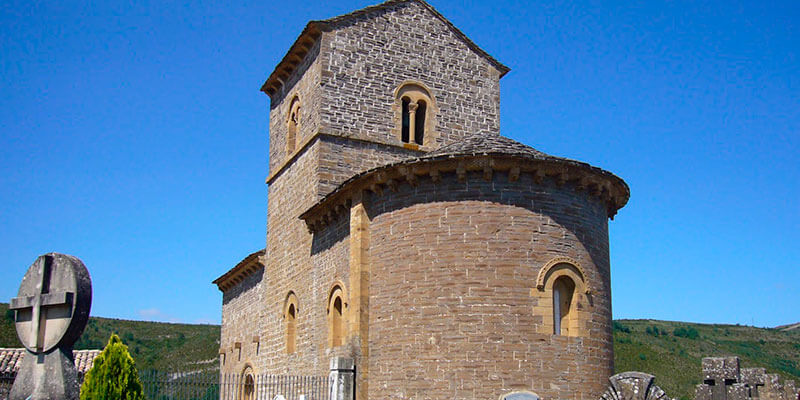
<point x="51" y="310"/>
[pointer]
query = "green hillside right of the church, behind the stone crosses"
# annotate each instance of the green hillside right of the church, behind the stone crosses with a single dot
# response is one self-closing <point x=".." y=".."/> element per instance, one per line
<point x="672" y="351"/>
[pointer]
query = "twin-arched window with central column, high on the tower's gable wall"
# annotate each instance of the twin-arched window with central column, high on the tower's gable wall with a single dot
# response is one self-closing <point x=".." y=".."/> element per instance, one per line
<point x="414" y="114"/>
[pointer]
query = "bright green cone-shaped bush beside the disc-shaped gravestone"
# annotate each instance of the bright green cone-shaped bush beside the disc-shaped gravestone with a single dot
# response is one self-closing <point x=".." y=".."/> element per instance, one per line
<point x="113" y="375"/>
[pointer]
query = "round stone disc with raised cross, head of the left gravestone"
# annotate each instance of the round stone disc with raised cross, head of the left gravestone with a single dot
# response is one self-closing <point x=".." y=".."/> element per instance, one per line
<point x="52" y="306"/>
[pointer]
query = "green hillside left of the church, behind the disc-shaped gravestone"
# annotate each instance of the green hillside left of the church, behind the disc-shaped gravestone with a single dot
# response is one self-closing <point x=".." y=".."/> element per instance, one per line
<point x="154" y="345"/>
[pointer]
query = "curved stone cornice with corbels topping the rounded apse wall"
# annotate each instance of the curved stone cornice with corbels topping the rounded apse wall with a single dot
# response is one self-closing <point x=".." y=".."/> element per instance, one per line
<point x="598" y="183"/>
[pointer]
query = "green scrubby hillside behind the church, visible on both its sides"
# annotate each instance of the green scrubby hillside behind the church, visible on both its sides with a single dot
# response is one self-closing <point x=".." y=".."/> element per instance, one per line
<point x="672" y="351"/>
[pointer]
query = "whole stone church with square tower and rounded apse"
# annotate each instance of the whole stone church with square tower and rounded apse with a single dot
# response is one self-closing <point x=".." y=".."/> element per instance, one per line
<point x="405" y="232"/>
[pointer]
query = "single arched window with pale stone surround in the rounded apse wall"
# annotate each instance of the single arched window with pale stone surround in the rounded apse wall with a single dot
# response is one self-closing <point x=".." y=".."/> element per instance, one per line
<point x="564" y="298"/>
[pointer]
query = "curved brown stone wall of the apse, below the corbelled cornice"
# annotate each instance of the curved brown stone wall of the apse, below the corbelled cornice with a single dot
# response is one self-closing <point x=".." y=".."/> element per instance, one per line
<point x="453" y="289"/>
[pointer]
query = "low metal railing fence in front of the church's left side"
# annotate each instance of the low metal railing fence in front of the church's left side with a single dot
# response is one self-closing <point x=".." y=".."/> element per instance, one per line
<point x="209" y="385"/>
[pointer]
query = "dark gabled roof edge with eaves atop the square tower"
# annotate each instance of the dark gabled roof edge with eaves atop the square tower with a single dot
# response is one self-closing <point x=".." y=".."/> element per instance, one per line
<point x="311" y="33"/>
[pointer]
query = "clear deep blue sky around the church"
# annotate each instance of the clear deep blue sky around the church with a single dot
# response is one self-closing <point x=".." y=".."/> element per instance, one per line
<point x="133" y="135"/>
